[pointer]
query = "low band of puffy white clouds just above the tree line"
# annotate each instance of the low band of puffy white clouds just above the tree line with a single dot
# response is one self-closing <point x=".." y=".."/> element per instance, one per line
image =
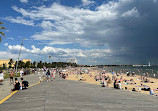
<point x="61" y="53"/>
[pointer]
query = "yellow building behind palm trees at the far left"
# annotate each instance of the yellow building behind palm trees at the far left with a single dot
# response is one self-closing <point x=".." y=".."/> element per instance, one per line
<point x="6" y="61"/>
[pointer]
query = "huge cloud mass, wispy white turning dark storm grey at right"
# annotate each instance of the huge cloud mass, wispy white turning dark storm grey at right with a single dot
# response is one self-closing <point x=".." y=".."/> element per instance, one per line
<point x="118" y="26"/>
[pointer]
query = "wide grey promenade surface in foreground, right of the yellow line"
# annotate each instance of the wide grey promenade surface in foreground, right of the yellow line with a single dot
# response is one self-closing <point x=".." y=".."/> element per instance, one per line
<point x="68" y="95"/>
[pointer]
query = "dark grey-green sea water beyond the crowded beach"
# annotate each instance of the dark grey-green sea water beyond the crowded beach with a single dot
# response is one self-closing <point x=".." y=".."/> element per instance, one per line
<point x="138" y="70"/>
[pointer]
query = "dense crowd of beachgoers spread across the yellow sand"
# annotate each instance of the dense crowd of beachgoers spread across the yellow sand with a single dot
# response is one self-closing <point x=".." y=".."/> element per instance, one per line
<point x="109" y="78"/>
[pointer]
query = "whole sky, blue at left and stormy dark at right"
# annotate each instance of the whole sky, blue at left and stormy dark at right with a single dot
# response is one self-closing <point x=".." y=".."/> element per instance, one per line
<point x="91" y="31"/>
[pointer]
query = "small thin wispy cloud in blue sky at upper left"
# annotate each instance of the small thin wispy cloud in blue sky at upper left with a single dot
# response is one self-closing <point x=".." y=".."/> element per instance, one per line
<point x="20" y="20"/>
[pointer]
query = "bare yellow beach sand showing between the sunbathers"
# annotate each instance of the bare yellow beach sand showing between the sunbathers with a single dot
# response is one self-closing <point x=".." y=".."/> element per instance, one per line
<point x="90" y="79"/>
